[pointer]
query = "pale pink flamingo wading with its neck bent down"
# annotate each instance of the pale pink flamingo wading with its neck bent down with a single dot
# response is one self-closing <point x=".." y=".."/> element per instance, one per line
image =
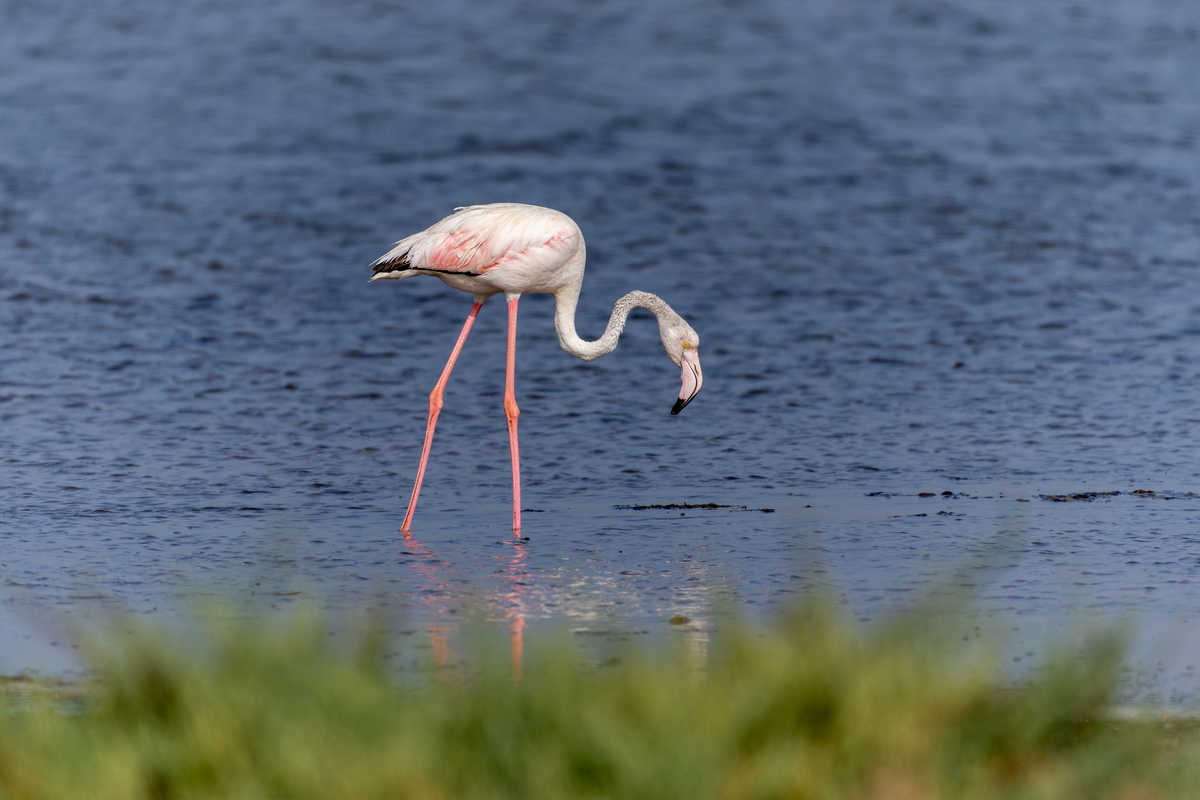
<point x="519" y="250"/>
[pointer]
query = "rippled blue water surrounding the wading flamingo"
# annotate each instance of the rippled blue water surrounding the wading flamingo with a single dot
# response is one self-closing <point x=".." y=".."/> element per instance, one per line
<point x="929" y="246"/>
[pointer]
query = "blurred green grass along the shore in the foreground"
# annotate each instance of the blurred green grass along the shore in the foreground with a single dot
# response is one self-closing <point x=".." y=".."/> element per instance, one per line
<point x="811" y="708"/>
